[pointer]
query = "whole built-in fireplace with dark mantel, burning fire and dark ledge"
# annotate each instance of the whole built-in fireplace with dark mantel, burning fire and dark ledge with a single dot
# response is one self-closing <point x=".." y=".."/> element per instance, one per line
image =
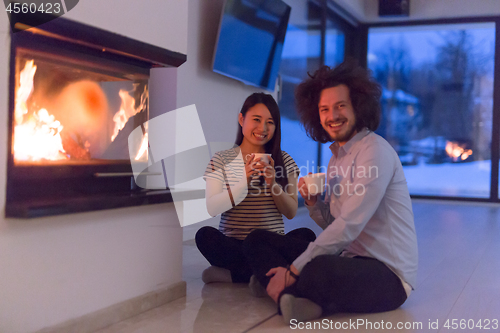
<point x="75" y="94"/>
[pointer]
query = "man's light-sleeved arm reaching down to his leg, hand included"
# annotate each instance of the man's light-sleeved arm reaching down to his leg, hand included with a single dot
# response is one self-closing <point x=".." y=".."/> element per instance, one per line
<point x="357" y="209"/>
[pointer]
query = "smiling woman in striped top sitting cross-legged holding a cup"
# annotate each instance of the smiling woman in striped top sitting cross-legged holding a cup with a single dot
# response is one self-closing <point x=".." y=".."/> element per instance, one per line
<point x="250" y="193"/>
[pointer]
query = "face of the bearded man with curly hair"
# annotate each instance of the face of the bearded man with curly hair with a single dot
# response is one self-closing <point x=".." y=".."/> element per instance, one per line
<point x="337" y="114"/>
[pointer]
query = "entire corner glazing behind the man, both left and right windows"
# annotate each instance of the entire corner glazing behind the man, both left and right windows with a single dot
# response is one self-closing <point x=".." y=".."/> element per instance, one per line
<point x="438" y="99"/>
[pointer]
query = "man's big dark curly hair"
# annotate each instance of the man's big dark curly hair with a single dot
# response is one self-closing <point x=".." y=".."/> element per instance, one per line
<point x="364" y="93"/>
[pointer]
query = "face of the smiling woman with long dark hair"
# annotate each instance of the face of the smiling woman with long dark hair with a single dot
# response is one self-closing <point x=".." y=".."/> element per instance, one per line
<point x="257" y="125"/>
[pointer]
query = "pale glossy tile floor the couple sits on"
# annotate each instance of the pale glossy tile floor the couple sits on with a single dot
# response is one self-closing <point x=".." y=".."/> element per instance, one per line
<point x="459" y="278"/>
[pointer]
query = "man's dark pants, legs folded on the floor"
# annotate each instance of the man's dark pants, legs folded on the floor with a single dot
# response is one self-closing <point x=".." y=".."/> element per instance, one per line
<point x="337" y="284"/>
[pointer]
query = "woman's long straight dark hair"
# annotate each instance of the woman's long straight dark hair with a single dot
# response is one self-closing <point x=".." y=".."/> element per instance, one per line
<point x="274" y="145"/>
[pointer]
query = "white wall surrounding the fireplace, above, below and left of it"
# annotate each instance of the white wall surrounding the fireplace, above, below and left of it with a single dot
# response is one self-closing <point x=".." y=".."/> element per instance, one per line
<point x="57" y="268"/>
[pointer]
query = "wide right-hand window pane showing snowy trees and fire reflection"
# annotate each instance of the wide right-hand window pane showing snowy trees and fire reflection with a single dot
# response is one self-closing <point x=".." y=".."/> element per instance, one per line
<point x="438" y="84"/>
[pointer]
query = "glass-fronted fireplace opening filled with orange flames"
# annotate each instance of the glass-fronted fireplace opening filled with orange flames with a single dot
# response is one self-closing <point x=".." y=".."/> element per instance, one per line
<point x="72" y="112"/>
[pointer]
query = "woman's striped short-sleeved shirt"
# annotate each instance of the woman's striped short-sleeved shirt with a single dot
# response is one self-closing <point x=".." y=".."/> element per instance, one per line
<point x="257" y="210"/>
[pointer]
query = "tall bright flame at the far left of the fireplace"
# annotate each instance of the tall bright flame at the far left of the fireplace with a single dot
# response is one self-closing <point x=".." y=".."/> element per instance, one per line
<point x="37" y="137"/>
